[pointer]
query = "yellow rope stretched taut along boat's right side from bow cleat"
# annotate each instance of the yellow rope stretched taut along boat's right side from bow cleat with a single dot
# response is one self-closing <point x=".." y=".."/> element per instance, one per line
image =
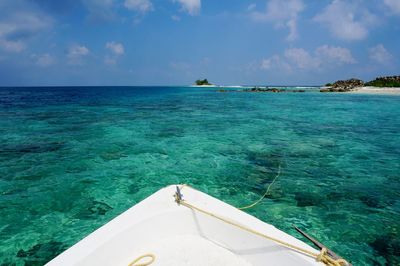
<point x="322" y="256"/>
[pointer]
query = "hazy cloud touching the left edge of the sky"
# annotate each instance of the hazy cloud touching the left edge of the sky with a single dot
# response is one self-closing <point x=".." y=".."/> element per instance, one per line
<point x="17" y="28"/>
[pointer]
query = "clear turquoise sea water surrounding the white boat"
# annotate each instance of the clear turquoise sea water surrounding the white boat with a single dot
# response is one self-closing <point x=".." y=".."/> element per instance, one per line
<point x="72" y="159"/>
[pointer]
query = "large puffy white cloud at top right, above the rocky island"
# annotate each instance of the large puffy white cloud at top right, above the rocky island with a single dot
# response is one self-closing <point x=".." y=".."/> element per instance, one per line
<point x="346" y="20"/>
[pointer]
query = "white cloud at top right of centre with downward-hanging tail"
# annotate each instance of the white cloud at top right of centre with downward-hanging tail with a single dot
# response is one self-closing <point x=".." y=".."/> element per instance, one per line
<point x="283" y="14"/>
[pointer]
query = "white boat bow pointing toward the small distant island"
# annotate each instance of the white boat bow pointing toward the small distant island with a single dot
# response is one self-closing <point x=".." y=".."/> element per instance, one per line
<point x="178" y="235"/>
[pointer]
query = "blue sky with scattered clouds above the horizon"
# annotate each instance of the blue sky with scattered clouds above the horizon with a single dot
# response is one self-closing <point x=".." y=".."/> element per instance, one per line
<point x="174" y="42"/>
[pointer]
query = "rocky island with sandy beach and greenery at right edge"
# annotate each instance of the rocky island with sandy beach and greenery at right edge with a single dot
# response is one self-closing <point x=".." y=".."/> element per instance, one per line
<point x="357" y="84"/>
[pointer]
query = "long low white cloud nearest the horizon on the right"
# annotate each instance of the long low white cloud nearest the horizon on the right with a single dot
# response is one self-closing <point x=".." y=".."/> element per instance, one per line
<point x="299" y="58"/>
